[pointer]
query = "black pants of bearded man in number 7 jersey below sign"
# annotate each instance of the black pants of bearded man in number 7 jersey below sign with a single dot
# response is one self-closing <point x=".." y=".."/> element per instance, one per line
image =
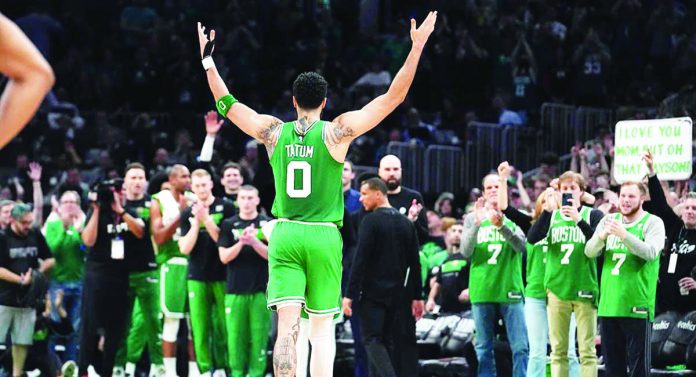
<point x="626" y="342"/>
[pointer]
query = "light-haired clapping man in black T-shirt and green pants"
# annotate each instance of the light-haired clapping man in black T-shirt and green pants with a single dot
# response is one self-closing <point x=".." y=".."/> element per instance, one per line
<point x="206" y="274"/>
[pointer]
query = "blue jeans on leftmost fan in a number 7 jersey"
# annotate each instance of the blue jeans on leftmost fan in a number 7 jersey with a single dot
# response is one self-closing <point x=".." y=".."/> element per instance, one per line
<point x="513" y="317"/>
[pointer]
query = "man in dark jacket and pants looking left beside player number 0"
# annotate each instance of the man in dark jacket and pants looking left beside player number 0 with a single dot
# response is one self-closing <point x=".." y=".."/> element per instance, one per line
<point x="385" y="279"/>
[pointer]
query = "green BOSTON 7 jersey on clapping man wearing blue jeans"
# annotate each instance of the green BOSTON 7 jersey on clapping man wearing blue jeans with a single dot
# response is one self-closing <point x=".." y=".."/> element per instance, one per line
<point x="496" y="269"/>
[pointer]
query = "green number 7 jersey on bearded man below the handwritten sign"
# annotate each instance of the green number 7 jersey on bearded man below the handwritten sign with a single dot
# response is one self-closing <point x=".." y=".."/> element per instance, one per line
<point x="628" y="282"/>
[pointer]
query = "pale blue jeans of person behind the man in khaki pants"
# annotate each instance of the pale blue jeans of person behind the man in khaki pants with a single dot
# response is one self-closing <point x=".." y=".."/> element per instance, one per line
<point x="538" y="334"/>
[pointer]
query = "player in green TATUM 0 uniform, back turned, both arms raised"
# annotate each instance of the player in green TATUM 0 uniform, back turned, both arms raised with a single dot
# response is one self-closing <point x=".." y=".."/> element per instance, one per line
<point x="307" y="156"/>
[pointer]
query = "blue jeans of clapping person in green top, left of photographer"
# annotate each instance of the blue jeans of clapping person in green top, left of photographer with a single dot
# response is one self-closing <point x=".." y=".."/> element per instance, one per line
<point x="72" y="303"/>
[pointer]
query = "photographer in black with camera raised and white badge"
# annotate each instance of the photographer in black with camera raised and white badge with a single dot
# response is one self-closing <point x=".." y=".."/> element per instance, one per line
<point x="105" y="291"/>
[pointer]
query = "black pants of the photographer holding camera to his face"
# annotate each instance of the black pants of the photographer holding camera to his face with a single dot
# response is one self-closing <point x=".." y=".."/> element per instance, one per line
<point x="104" y="313"/>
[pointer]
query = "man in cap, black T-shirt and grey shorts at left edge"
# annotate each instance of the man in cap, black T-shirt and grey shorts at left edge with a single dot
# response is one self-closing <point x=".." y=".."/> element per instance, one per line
<point x="22" y="250"/>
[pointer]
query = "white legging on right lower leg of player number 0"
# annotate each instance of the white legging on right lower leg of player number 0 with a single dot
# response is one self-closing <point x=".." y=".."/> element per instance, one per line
<point x="322" y="335"/>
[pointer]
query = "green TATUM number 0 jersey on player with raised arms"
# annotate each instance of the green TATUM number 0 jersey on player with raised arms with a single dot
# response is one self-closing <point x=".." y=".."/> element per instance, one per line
<point x="307" y="178"/>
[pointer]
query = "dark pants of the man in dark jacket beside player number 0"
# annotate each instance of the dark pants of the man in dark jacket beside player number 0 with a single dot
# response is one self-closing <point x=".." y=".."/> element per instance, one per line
<point x="389" y="336"/>
